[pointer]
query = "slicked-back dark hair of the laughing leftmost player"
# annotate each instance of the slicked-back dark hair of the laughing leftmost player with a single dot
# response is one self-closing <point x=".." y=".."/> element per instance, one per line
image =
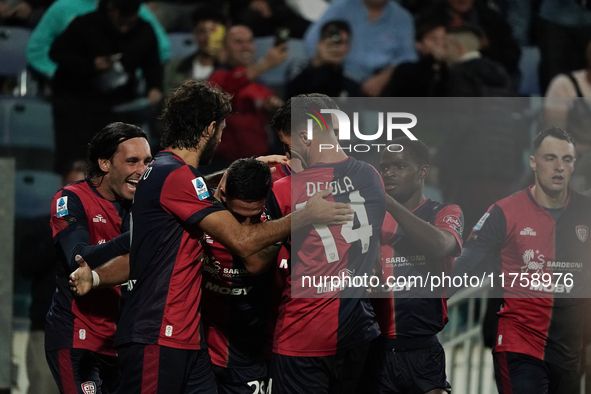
<point x="105" y="144"/>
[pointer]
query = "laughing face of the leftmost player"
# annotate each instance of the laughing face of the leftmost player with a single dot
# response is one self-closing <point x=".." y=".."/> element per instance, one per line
<point x="125" y="168"/>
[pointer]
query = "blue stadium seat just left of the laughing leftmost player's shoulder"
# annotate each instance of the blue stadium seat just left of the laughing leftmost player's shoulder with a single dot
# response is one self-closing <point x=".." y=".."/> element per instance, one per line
<point x="34" y="192"/>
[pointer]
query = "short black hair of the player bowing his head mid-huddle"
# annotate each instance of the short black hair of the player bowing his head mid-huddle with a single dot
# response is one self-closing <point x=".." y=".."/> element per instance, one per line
<point x="248" y="180"/>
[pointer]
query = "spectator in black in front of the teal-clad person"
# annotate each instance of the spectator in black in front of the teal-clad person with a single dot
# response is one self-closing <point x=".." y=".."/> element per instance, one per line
<point x="98" y="58"/>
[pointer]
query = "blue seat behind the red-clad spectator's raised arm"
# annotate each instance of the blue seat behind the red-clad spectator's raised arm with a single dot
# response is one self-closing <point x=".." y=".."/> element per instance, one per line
<point x="276" y="77"/>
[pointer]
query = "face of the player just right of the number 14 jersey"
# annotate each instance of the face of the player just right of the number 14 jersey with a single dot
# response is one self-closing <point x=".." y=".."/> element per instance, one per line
<point x="402" y="177"/>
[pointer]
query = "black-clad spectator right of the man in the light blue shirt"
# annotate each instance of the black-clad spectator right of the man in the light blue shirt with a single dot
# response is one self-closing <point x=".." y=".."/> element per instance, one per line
<point x="426" y="77"/>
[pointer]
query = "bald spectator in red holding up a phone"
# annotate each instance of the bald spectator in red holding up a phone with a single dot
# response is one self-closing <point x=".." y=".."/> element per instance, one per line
<point x="245" y="134"/>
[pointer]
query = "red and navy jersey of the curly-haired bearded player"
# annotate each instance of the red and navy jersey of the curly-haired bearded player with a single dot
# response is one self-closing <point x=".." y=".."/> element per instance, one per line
<point x="163" y="297"/>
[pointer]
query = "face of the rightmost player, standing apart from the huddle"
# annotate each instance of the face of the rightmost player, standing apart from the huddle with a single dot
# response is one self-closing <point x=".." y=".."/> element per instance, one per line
<point x="553" y="163"/>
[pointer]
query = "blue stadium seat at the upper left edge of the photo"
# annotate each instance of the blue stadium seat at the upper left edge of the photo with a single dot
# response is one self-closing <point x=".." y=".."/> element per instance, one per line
<point x="13" y="42"/>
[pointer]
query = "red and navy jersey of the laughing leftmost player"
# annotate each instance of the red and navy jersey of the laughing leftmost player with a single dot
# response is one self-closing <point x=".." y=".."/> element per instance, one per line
<point x="79" y="210"/>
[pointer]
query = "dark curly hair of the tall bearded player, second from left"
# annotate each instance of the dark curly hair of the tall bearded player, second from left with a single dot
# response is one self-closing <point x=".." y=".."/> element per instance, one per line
<point x="188" y="112"/>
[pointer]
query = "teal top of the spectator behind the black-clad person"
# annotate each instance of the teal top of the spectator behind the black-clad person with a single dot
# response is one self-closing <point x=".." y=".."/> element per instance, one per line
<point x="56" y="20"/>
